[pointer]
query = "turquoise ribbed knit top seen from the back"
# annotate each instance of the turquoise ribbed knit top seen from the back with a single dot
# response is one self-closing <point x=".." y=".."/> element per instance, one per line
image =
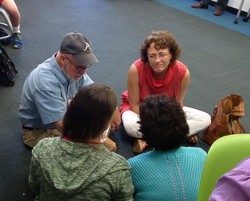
<point x="168" y="176"/>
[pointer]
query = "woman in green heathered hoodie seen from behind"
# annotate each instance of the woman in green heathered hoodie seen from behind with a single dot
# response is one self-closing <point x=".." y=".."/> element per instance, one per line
<point x="77" y="166"/>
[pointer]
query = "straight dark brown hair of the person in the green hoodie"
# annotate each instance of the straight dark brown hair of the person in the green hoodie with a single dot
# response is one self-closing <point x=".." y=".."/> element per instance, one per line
<point x="89" y="112"/>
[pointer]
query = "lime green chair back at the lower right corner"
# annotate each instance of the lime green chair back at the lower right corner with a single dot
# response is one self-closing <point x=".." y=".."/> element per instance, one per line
<point x="224" y="154"/>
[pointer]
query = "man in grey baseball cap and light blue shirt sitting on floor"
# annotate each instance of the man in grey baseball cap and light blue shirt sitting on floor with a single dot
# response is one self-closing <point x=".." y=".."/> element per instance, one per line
<point x="49" y="88"/>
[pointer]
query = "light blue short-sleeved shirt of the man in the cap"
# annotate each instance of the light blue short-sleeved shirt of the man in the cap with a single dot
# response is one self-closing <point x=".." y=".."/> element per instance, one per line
<point x="45" y="95"/>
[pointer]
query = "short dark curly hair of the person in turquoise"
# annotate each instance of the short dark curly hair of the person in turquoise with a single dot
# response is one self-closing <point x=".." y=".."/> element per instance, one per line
<point x="163" y="122"/>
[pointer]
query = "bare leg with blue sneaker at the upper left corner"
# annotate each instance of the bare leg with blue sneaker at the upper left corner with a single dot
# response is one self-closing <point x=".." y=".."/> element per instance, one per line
<point x="15" y="17"/>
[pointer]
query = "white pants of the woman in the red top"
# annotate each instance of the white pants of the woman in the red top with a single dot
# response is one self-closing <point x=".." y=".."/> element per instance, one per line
<point x="197" y="121"/>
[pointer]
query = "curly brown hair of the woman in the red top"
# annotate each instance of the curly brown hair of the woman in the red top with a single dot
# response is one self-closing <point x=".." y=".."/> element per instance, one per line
<point x="162" y="40"/>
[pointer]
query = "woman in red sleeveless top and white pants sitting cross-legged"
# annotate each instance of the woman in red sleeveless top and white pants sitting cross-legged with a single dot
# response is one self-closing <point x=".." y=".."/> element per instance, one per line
<point x="158" y="71"/>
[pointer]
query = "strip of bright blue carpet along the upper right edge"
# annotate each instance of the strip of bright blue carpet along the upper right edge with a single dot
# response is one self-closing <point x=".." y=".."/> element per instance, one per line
<point x="226" y="20"/>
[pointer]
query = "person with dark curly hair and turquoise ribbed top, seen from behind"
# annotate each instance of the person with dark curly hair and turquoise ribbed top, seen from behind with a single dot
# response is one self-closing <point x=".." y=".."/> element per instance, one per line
<point x="171" y="171"/>
